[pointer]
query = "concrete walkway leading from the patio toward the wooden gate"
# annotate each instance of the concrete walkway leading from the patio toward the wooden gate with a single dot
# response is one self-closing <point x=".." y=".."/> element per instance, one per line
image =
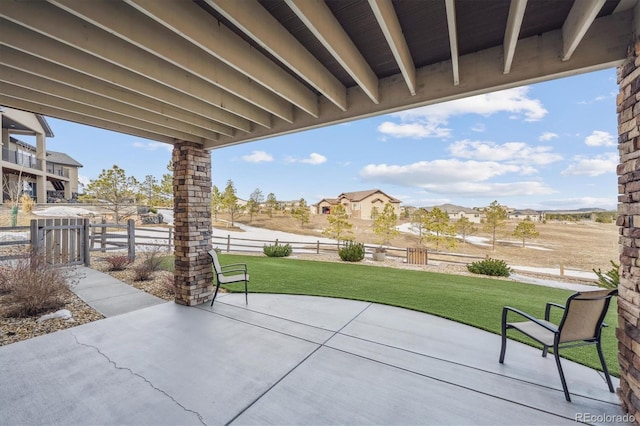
<point x="110" y="296"/>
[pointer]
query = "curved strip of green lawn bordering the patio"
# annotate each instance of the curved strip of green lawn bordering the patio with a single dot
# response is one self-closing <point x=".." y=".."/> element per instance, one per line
<point x="476" y="301"/>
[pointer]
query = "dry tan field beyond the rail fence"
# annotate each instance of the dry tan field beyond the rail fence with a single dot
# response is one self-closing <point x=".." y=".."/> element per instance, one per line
<point x="583" y="245"/>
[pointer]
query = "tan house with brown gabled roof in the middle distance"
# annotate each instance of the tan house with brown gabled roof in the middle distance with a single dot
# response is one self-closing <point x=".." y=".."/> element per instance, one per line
<point x="359" y="204"/>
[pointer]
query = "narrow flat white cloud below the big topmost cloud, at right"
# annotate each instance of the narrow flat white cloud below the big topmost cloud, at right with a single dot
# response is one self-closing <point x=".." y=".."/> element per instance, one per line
<point x="511" y="152"/>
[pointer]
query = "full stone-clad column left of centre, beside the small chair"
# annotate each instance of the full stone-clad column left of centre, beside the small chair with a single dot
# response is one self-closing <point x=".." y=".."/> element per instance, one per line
<point x="192" y="220"/>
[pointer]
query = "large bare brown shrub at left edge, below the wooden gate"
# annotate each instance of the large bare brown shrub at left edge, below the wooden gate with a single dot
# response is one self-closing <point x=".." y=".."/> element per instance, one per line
<point x="34" y="286"/>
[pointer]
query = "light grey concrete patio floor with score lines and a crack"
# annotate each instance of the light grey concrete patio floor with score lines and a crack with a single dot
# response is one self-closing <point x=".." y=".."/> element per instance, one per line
<point x="288" y="360"/>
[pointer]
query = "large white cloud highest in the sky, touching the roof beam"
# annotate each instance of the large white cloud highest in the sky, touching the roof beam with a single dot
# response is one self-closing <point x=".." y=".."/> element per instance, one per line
<point x="431" y="120"/>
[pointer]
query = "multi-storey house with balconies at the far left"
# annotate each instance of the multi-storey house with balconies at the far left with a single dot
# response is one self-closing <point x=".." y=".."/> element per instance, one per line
<point x="47" y="176"/>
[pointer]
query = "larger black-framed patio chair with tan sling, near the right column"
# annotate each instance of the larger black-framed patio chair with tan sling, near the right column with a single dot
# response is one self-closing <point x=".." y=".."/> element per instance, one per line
<point x="581" y="324"/>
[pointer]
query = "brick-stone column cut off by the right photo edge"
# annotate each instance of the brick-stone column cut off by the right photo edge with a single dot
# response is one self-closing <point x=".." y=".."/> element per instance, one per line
<point x="628" y="332"/>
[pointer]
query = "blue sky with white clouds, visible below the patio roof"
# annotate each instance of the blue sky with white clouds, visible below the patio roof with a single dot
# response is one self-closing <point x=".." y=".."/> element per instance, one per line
<point x="551" y="145"/>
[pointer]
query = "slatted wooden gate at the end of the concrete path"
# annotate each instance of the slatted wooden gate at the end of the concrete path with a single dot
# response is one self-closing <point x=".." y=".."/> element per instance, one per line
<point x="62" y="241"/>
